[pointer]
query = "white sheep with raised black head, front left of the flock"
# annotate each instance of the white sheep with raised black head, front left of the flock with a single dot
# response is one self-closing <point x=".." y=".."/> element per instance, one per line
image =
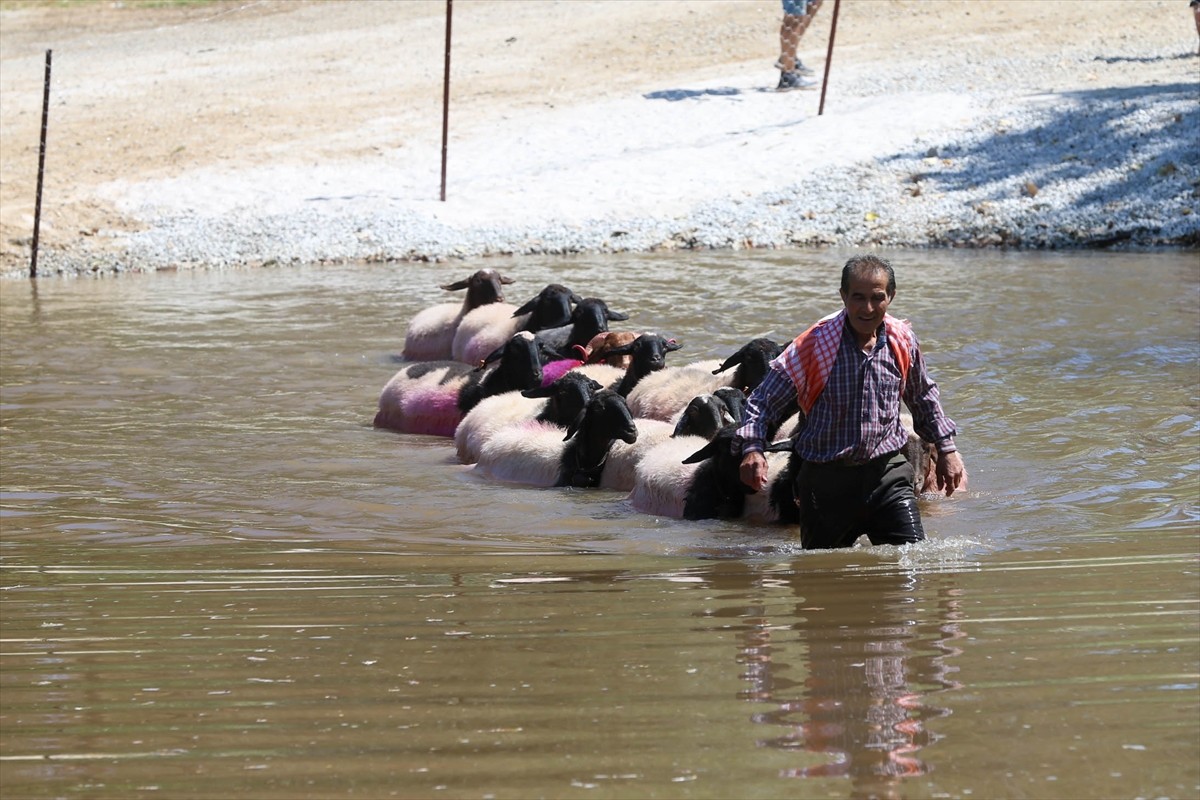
<point x="538" y="454"/>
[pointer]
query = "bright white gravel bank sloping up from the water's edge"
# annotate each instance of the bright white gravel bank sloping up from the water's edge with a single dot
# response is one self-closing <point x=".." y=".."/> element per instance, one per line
<point x="914" y="160"/>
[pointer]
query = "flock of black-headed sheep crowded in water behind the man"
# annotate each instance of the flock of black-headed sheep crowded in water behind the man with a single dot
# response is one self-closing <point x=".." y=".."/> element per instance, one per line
<point x="547" y="395"/>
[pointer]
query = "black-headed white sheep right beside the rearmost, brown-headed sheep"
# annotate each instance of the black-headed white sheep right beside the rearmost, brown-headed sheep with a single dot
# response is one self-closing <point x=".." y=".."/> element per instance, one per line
<point x="488" y="328"/>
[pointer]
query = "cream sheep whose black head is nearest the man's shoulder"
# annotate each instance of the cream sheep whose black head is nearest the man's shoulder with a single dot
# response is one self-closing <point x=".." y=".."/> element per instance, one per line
<point x="662" y="396"/>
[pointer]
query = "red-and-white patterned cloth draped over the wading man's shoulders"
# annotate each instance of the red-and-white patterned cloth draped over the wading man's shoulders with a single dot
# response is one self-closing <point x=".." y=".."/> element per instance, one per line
<point x="811" y="362"/>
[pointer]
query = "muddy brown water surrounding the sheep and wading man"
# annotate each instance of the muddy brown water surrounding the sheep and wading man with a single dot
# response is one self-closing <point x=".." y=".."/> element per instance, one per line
<point x="220" y="581"/>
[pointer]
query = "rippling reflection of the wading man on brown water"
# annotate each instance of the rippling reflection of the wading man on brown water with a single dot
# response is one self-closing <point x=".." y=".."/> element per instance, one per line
<point x="849" y="677"/>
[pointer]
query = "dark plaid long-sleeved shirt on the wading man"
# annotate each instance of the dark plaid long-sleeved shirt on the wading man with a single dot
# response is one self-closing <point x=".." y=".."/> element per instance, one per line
<point x="859" y="414"/>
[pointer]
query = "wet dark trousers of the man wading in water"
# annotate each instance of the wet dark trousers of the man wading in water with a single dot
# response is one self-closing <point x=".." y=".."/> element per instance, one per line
<point x="839" y="504"/>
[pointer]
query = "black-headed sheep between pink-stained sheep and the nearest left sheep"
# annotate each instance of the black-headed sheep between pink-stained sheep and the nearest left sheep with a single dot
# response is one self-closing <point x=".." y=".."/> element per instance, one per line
<point x="559" y="404"/>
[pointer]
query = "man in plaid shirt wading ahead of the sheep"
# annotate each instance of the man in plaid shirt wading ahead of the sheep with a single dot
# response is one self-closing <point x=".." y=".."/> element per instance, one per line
<point x="849" y="374"/>
